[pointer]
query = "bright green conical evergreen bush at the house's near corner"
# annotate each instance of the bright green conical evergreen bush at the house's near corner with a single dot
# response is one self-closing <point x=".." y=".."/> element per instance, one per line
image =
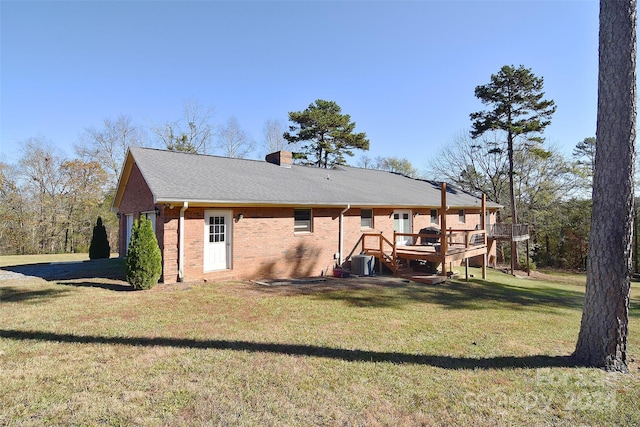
<point x="144" y="261"/>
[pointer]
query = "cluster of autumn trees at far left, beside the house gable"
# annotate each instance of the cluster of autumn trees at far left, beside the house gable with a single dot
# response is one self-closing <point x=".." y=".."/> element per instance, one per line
<point x="48" y="203"/>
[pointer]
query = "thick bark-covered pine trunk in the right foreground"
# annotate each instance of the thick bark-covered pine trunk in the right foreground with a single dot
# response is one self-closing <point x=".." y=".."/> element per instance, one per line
<point x="602" y="340"/>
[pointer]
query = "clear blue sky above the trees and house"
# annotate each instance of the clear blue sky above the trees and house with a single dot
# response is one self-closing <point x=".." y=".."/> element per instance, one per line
<point x="404" y="71"/>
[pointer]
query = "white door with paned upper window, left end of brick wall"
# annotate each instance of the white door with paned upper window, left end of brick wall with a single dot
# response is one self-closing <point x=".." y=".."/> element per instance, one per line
<point x="217" y="240"/>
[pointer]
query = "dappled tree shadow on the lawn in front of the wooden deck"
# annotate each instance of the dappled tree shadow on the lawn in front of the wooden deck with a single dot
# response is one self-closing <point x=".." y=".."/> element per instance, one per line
<point x="474" y="295"/>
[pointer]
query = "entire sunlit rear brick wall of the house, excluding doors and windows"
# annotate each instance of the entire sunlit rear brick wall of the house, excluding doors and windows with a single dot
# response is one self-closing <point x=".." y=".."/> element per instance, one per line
<point x="264" y="244"/>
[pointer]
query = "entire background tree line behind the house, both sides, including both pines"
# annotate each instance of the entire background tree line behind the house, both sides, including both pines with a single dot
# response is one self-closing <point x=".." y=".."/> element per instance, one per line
<point x="49" y="203"/>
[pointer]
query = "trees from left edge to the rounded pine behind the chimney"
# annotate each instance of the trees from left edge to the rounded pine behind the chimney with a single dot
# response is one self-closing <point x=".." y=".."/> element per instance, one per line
<point x="49" y="201"/>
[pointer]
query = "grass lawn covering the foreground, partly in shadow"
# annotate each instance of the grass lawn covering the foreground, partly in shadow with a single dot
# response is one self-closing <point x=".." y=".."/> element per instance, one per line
<point x="358" y="351"/>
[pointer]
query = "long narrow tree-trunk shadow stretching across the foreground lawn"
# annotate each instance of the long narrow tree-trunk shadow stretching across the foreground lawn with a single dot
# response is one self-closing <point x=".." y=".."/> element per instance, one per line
<point x="445" y="362"/>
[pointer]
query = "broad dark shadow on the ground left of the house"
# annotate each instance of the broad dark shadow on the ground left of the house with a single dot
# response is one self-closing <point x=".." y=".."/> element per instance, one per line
<point x="111" y="268"/>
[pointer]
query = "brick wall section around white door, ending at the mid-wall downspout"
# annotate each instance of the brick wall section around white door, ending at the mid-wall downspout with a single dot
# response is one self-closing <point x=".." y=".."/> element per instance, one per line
<point x="264" y="244"/>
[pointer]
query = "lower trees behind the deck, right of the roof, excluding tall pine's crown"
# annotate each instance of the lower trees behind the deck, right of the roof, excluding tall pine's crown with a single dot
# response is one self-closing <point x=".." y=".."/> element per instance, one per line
<point x="552" y="192"/>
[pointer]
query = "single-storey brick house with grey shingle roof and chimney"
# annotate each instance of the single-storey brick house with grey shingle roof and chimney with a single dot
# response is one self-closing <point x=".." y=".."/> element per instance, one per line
<point x="219" y="218"/>
